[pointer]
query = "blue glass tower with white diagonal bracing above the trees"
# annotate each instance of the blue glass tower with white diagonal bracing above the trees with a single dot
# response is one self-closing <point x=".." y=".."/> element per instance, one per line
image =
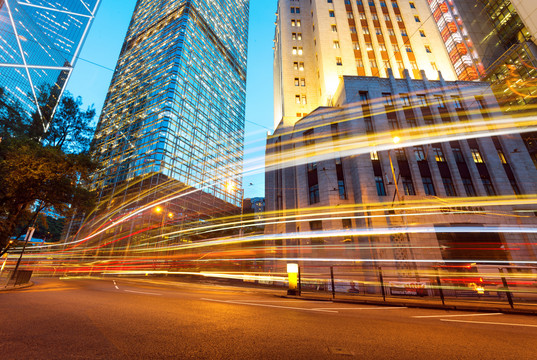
<point x="39" y="44"/>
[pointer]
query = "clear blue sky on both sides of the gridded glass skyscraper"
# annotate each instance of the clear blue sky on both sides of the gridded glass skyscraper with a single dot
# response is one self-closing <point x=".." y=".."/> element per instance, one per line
<point x="94" y="70"/>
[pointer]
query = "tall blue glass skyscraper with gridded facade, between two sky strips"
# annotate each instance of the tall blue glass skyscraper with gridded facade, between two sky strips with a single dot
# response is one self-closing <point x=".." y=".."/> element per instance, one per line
<point x="173" y="120"/>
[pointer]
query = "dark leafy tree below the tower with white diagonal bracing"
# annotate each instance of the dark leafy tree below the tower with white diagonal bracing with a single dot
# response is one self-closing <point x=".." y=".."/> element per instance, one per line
<point x="35" y="174"/>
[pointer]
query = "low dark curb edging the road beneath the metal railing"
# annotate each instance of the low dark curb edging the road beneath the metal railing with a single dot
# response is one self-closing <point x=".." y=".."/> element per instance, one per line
<point x="422" y="306"/>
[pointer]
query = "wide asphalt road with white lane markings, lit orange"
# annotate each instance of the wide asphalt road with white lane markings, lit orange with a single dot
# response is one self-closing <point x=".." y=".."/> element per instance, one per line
<point x="124" y="319"/>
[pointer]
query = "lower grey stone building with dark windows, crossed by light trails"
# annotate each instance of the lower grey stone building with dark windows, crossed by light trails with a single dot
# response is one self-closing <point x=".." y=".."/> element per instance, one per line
<point x="388" y="156"/>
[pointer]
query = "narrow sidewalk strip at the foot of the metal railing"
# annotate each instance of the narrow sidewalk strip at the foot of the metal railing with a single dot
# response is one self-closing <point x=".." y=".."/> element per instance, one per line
<point x="427" y="303"/>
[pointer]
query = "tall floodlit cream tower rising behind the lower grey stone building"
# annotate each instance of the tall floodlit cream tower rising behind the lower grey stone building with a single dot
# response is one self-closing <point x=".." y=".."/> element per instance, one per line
<point x="317" y="42"/>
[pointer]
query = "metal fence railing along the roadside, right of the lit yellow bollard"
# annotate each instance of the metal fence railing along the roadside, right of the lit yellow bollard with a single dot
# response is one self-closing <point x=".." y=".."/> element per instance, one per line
<point x="506" y="285"/>
